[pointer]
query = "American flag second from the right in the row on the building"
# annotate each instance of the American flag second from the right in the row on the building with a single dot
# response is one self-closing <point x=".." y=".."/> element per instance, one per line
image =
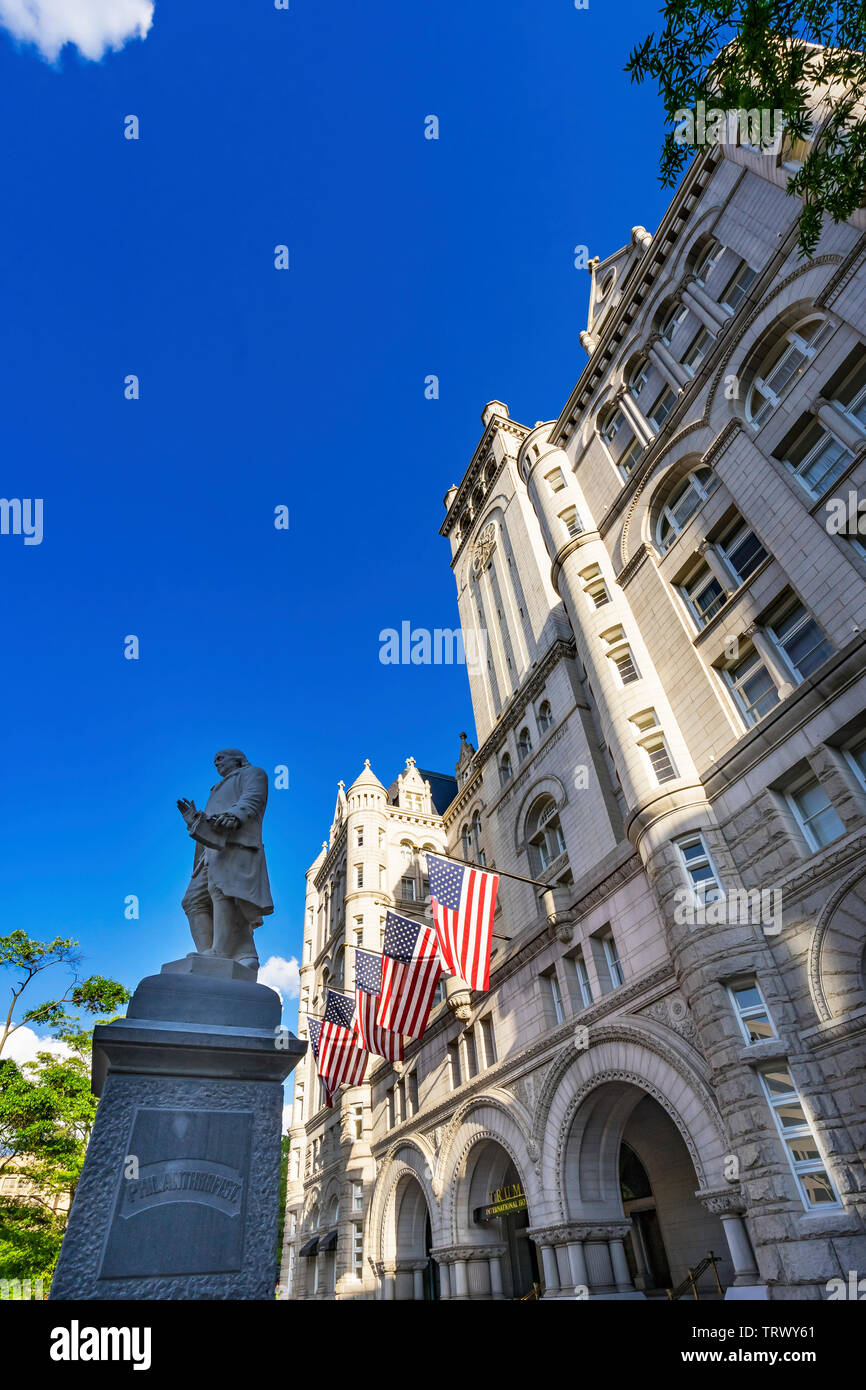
<point x="411" y="974"/>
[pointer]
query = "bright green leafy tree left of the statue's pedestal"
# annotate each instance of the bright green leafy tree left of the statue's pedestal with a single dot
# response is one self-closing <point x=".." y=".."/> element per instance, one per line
<point x="47" y="1107"/>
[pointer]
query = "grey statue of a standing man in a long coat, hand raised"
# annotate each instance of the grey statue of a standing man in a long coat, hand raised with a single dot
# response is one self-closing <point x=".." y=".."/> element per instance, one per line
<point x="229" y="893"/>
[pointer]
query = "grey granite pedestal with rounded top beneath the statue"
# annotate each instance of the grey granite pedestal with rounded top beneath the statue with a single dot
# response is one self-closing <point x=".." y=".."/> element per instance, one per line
<point x="180" y="1191"/>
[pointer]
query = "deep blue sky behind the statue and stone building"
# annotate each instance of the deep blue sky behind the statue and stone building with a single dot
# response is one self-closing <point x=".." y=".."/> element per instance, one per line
<point x="262" y="389"/>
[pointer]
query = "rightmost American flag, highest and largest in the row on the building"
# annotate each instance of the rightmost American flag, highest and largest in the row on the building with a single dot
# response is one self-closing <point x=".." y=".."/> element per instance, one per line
<point x="464" y="903"/>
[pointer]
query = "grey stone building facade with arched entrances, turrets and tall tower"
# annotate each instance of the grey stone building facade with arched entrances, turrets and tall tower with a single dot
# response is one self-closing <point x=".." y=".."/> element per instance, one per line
<point x="671" y="711"/>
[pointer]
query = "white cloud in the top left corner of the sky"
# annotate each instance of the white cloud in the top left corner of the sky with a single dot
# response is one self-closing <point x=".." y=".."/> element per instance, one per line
<point x="92" y="26"/>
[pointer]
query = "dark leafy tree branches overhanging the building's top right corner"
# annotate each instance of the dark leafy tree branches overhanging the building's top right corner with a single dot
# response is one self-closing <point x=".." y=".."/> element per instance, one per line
<point x="744" y="55"/>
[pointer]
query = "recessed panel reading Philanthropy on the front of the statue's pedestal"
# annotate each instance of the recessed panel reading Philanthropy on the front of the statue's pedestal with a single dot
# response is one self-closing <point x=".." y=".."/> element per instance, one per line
<point x="199" y="1160"/>
